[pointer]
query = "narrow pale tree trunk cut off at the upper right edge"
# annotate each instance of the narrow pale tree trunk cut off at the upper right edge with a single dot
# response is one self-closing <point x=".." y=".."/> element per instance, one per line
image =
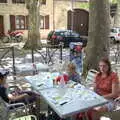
<point x="117" y="15"/>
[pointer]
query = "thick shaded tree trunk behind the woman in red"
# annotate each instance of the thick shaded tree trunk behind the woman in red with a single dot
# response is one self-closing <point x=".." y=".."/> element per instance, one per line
<point x="98" y="38"/>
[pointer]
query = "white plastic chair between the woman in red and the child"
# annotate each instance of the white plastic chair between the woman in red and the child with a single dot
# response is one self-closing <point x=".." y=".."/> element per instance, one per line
<point x="90" y="78"/>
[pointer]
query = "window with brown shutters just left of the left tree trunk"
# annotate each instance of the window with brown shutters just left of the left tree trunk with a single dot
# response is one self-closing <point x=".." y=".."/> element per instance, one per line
<point x="18" y="22"/>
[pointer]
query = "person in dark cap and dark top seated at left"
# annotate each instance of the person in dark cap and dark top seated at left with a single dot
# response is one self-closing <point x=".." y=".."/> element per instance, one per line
<point x="22" y="96"/>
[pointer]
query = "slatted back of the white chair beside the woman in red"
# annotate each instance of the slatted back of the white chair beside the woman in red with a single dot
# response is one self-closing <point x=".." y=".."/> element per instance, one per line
<point x="91" y="75"/>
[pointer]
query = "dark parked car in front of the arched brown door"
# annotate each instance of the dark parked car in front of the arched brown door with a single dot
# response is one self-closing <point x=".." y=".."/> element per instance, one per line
<point x="65" y="36"/>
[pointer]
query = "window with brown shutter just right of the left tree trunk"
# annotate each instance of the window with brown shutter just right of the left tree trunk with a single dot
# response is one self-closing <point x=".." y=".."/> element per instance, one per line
<point x="44" y="22"/>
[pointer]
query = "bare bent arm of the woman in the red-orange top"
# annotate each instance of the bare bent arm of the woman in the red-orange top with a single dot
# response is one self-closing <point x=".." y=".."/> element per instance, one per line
<point x="114" y="93"/>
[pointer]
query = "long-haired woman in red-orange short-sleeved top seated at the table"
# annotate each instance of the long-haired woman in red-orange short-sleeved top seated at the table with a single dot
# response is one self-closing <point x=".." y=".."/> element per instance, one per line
<point x="106" y="85"/>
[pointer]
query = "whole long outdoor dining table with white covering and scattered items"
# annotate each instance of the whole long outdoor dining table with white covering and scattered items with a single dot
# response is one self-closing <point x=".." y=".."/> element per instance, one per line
<point x="67" y="100"/>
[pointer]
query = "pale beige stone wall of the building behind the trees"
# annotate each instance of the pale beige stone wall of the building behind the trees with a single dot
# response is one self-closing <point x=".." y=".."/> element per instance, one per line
<point x="58" y="19"/>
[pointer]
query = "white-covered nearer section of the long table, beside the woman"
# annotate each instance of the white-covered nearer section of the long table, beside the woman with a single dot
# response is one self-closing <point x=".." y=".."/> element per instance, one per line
<point x="69" y="101"/>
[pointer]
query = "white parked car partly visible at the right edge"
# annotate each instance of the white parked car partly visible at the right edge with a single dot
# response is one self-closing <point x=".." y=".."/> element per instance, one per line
<point x="115" y="34"/>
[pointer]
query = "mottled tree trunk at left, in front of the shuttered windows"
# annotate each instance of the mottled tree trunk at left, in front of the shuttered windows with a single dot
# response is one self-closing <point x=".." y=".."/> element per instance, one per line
<point x="33" y="41"/>
